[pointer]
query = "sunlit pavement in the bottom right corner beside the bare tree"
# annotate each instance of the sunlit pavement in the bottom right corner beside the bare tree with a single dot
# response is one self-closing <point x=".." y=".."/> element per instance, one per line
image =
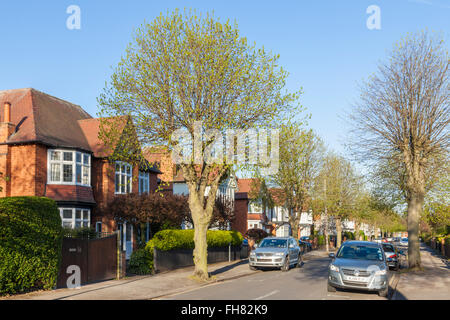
<point x="431" y="284"/>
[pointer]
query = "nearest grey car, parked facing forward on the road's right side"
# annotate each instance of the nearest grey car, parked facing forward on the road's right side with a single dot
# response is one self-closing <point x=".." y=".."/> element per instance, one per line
<point x="359" y="265"/>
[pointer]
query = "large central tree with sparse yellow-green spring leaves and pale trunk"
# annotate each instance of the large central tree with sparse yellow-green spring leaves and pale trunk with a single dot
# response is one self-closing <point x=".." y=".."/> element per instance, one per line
<point x="196" y="75"/>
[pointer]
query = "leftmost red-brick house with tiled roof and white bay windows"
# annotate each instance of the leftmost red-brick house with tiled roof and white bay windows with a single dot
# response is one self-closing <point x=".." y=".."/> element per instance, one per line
<point x="50" y="147"/>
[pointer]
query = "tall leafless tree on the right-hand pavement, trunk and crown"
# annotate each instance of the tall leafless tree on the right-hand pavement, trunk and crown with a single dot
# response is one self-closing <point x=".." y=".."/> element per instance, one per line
<point x="402" y="119"/>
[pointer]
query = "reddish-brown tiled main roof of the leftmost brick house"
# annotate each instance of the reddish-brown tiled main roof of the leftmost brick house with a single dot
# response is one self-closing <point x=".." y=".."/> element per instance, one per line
<point x="42" y="118"/>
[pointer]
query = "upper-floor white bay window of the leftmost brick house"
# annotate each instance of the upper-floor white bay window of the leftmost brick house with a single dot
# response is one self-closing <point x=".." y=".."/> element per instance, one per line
<point x="69" y="167"/>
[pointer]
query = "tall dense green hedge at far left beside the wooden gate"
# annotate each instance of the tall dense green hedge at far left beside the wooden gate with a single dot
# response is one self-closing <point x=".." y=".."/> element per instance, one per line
<point x="30" y="244"/>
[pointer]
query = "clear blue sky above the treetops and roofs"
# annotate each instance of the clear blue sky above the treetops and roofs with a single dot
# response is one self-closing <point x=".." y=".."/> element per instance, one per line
<point x="324" y="45"/>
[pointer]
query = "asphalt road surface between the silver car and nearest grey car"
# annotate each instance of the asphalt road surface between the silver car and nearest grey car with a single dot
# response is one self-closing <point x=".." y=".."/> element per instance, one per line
<point x="306" y="283"/>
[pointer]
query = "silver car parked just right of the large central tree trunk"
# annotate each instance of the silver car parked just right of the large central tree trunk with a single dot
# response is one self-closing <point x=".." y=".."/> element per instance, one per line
<point x="279" y="252"/>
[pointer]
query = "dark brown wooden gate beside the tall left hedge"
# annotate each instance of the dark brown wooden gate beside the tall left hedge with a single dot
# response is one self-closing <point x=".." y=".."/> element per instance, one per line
<point x="97" y="259"/>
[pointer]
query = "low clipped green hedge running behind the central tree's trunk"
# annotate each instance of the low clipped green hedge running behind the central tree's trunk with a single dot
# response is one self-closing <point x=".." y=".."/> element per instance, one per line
<point x="166" y="240"/>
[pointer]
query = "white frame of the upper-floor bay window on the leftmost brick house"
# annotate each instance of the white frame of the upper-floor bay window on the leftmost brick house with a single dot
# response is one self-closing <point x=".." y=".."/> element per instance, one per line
<point x="73" y="163"/>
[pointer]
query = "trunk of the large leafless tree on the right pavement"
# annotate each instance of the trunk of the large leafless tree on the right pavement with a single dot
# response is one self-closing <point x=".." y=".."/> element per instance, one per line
<point x="415" y="204"/>
